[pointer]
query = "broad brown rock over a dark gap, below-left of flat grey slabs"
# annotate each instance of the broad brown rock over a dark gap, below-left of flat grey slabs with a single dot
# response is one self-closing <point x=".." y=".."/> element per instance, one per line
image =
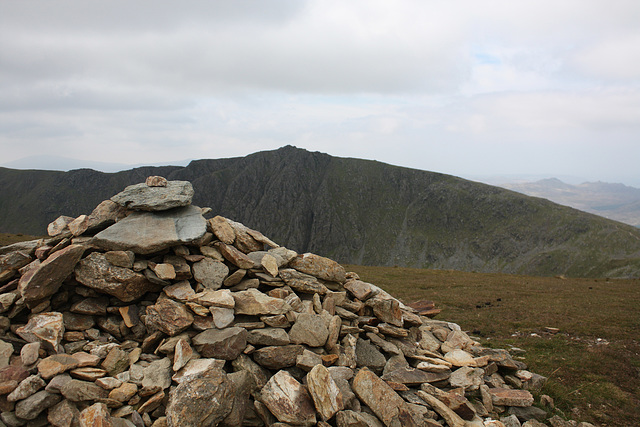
<point x="97" y="273"/>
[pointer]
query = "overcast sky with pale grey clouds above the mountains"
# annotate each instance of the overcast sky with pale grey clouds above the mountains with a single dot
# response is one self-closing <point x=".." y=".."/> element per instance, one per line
<point x="471" y="88"/>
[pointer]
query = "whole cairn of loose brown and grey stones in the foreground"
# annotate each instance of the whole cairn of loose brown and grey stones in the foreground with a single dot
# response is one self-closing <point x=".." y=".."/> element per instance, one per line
<point x="144" y="313"/>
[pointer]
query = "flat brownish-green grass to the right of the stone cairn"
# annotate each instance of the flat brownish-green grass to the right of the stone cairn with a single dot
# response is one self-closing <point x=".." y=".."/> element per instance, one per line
<point x="593" y="363"/>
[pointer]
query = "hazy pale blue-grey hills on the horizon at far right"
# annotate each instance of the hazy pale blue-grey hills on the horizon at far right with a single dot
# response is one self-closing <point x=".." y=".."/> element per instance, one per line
<point x="613" y="201"/>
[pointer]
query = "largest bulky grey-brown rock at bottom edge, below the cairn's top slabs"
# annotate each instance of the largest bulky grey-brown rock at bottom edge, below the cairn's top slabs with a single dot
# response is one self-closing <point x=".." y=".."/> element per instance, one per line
<point x="200" y="401"/>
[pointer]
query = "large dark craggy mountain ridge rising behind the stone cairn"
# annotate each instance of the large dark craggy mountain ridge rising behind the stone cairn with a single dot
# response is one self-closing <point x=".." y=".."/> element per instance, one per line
<point x="356" y="211"/>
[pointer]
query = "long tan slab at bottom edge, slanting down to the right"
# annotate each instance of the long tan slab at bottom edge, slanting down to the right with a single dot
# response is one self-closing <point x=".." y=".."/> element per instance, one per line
<point x="388" y="406"/>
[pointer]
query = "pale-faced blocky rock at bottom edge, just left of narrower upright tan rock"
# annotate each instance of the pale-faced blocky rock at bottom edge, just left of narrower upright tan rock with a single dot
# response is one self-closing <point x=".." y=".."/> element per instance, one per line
<point x="288" y="400"/>
